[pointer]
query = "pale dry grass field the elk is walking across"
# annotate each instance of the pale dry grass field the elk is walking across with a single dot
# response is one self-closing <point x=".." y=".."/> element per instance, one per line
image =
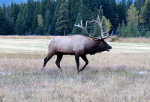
<point x="121" y="75"/>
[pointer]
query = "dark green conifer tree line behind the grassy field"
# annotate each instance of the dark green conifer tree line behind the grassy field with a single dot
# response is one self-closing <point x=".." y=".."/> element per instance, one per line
<point x="57" y="17"/>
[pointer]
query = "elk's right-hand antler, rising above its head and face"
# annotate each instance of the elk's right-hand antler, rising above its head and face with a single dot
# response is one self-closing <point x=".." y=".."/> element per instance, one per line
<point x="100" y="24"/>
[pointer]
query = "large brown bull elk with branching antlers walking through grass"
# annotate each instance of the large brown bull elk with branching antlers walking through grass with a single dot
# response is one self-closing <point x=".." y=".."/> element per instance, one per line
<point x="78" y="45"/>
